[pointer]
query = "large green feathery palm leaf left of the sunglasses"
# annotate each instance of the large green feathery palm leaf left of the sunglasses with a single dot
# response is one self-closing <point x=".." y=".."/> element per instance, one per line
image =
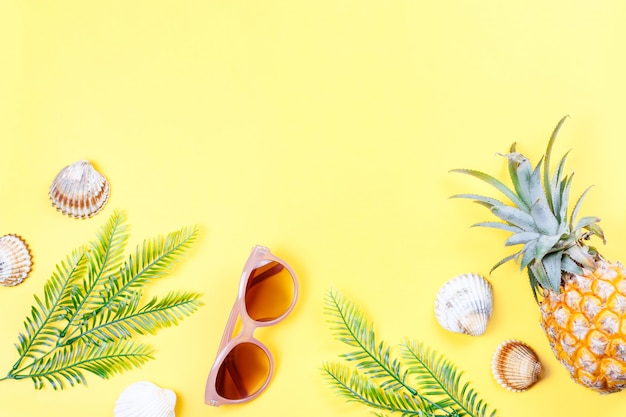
<point x="91" y="308"/>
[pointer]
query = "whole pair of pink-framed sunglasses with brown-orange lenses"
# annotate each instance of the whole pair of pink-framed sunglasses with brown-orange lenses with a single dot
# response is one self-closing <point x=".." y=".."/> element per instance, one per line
<point x="244" y="366"/>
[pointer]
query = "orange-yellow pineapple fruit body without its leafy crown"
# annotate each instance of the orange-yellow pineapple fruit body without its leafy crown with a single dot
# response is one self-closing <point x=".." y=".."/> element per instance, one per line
<point x="586" y="326"/>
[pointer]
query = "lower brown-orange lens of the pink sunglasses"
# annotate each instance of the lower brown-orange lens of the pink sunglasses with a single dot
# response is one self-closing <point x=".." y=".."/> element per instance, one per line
<point x="243" y="372"/>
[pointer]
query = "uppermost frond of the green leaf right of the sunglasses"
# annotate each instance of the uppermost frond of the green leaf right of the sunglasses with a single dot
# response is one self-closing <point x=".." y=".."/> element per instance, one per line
<point x="351" y="327"/>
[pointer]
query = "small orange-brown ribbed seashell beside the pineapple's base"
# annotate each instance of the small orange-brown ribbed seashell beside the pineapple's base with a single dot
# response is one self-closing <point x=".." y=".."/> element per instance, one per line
<point x="516" y="366"/>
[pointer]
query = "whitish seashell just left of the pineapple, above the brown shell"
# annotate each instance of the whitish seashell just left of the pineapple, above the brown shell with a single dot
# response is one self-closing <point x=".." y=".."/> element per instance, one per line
<point x="464" y="304"/>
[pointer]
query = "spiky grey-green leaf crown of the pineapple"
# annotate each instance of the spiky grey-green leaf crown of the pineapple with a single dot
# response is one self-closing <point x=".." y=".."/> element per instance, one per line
<point x="552" y="241"/>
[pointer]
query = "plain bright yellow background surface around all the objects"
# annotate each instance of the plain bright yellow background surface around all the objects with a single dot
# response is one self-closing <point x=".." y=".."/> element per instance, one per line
<point x="324" y="130"/>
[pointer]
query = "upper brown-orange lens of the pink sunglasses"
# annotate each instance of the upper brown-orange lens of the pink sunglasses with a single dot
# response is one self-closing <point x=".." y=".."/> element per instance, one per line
<point x="269" y="292"/>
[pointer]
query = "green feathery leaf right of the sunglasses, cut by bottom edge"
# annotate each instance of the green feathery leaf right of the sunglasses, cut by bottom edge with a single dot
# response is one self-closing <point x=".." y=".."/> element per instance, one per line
<point x="381" y="381"/>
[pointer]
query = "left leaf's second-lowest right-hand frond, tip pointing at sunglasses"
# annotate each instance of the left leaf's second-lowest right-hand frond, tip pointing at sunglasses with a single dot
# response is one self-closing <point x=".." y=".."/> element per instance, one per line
<point x="129" y="319"/>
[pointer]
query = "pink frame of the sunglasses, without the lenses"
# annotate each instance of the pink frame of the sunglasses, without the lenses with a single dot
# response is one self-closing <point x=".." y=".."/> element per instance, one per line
<point x="248" y="325"/>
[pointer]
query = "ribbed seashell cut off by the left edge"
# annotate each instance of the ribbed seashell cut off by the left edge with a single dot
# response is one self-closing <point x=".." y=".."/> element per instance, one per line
<point x="15" y="260"/>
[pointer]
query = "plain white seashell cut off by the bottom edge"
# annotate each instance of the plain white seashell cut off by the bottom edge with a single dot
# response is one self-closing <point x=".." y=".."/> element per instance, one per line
<point x="145" y="399"/>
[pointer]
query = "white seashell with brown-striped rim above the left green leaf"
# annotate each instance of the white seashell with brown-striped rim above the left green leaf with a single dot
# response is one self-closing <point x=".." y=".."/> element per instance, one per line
<point x="79" y="190"/>
